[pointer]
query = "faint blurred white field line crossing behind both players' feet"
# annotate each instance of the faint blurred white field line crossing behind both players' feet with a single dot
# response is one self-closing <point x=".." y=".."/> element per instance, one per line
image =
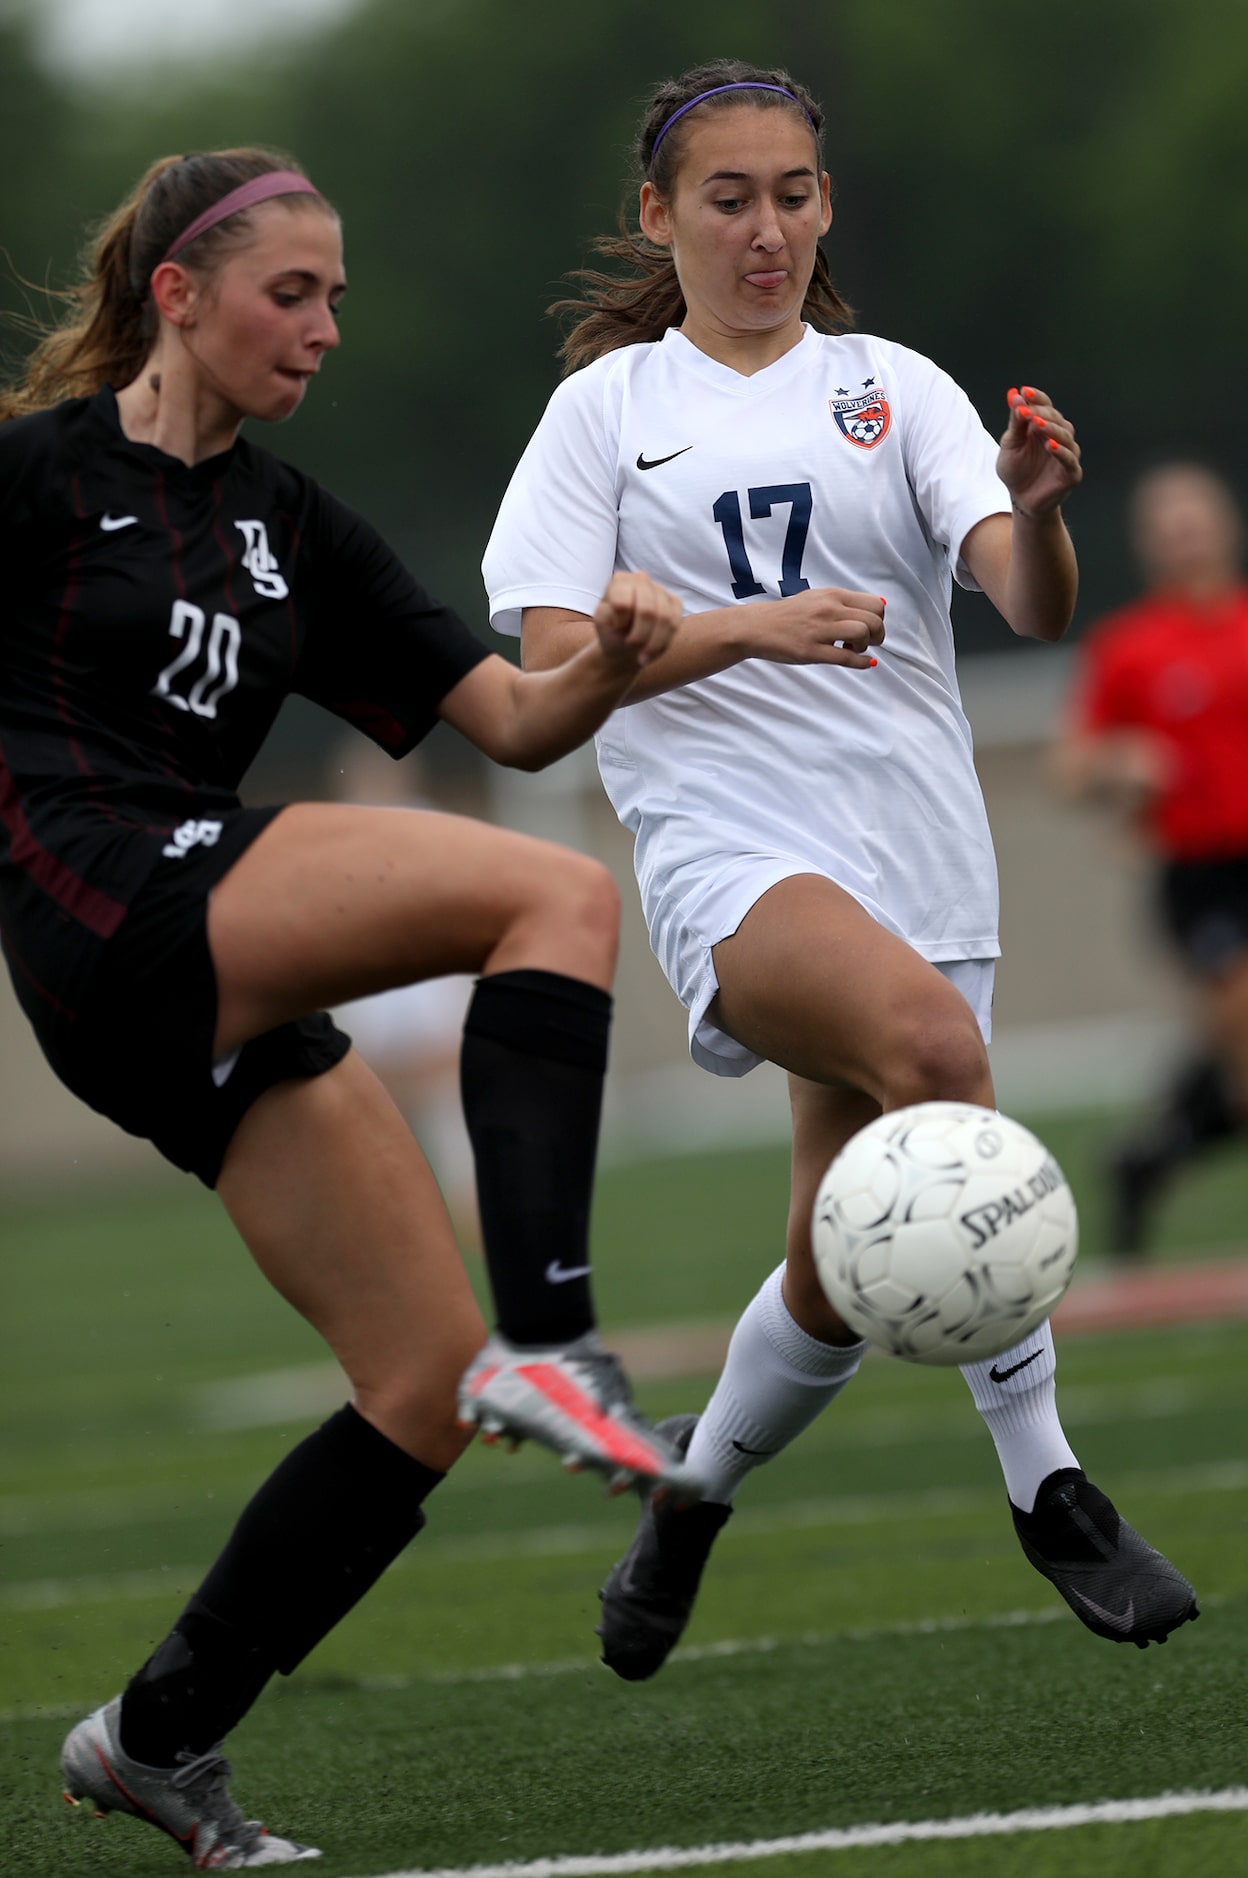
<point x="575" y="1541"/>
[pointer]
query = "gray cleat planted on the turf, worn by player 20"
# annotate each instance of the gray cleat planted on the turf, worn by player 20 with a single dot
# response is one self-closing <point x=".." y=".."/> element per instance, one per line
<point x="190" y="1802"/>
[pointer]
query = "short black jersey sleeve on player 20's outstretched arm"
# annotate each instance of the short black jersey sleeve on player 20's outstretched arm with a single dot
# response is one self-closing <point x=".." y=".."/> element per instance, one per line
<point x="378" y="653"/>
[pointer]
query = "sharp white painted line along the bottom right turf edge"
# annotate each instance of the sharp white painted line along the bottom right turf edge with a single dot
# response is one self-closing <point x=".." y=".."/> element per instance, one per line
<point x="855" y="1838"/>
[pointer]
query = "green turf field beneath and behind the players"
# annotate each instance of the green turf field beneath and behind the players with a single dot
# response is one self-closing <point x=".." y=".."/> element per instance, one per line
<point x="870" y="1646"/>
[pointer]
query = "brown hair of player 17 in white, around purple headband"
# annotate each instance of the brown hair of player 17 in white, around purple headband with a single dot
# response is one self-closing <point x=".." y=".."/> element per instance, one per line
<point x="628" y="309"/>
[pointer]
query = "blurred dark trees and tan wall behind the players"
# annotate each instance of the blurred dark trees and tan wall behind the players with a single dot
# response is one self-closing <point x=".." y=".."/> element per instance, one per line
<point x="1048" y="194"/>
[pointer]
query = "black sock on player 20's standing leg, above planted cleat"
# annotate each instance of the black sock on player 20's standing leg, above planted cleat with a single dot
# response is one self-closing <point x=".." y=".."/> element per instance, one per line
<point x="307" y="1548"/>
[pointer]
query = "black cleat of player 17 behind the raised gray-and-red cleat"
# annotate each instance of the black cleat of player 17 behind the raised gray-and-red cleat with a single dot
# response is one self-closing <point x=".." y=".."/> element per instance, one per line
<point x="648" y="1597"/>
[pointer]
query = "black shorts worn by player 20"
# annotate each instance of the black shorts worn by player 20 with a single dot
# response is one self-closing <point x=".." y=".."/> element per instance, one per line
<point x="142" y="1045"/>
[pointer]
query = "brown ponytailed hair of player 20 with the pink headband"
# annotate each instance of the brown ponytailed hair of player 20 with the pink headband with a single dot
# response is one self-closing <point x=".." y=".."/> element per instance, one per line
<point x="110" y="320"/>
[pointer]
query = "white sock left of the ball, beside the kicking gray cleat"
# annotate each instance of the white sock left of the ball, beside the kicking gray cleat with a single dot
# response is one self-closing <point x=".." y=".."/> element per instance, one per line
<point x="774" y="1383"/>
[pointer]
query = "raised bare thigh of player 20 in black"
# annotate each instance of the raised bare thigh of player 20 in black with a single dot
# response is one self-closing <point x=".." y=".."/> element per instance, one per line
<point x="335" y="902"/>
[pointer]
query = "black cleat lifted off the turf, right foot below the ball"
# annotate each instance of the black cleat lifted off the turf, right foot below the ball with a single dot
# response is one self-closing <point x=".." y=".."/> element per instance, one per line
<point x="1110" y="1577"/>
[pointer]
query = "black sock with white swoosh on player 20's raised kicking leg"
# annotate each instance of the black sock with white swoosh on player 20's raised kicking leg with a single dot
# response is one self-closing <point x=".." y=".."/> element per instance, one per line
<point x="532" y="1081"/>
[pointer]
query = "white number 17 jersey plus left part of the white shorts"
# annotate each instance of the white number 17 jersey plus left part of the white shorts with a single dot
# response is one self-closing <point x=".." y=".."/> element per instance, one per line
<point x="849" y="463"/>
